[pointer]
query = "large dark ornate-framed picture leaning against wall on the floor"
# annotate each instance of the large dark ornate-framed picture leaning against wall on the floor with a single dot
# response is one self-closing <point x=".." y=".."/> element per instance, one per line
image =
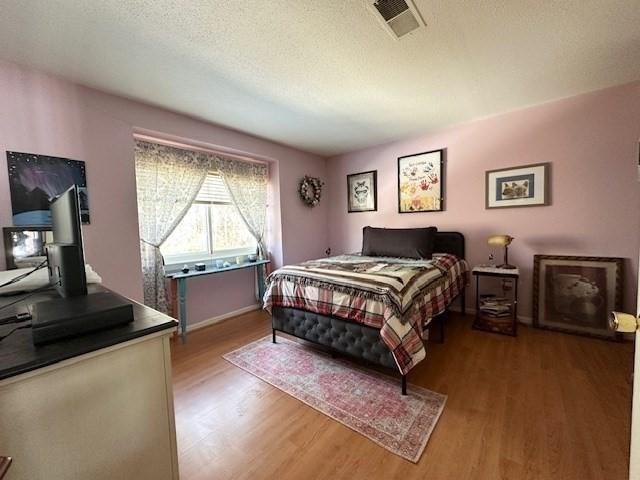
<point x="576" y="294"/>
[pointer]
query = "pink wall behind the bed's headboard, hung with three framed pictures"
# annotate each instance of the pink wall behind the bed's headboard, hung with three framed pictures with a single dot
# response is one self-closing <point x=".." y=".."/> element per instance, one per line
<point x="591" y="141"/>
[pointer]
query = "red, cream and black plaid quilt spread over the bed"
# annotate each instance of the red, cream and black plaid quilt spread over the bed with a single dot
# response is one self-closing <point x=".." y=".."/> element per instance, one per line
<point x="398" y="296"/>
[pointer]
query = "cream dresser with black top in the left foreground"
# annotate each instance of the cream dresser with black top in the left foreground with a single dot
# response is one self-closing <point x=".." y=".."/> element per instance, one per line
<point x="97" y="407"/>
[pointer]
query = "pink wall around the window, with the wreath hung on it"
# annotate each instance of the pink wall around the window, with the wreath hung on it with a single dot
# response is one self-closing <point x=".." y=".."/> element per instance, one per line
<point x="47" y="115"/>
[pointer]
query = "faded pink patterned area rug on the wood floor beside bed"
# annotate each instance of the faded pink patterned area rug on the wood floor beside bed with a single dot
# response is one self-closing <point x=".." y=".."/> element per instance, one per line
<point x="368" y="402"/>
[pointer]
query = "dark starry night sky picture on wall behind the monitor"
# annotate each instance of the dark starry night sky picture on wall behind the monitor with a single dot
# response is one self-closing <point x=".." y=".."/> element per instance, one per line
<point x="36" y="179"/>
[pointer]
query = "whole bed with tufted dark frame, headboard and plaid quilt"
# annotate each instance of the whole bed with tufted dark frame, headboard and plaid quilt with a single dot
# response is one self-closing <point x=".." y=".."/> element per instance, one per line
<point x="377" y="309"/>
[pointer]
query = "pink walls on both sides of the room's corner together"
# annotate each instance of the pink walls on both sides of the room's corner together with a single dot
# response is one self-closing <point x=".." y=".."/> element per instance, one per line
<point x="591" y="141"/>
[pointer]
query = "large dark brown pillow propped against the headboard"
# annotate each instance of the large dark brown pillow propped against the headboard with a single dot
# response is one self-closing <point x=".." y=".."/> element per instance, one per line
<point x="398" y="242"/>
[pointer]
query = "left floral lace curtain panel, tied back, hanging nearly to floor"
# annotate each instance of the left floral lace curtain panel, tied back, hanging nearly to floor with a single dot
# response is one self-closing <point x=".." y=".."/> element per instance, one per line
<point x="168" y="180"/>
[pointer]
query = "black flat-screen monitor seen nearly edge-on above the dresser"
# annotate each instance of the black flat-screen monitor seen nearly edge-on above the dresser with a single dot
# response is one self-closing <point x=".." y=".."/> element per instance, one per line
<point x="65" y="255"/>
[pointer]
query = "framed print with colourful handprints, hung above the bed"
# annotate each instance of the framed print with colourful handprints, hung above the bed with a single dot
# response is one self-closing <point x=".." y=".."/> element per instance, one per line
<point x="421" y="182"/>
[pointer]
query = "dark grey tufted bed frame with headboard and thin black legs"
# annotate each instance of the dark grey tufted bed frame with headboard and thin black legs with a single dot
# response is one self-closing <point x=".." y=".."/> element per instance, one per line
<point x="354" y="339"/>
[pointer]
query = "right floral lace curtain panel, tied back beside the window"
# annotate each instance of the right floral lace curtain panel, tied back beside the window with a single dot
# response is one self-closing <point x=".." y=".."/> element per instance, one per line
<point x="247" y="184"/>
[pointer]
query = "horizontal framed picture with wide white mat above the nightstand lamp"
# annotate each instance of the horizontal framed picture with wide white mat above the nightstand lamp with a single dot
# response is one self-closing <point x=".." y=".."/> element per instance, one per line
<point x="524" y="186"/>
